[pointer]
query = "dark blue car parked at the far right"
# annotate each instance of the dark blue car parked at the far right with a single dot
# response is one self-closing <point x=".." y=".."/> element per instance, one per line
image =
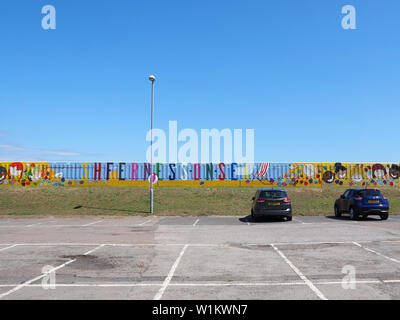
<point x="362" y="202"/>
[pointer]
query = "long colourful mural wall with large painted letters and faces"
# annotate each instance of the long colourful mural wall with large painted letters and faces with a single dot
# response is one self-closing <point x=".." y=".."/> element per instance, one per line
<point x="196" y="174"/>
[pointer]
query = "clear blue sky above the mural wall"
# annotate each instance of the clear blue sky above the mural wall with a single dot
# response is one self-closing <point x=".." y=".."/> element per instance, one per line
<point x="311" y="90"/>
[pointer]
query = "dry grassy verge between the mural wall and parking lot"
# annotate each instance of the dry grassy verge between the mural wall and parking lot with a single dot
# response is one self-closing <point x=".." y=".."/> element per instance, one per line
<point x="58" y="201"/>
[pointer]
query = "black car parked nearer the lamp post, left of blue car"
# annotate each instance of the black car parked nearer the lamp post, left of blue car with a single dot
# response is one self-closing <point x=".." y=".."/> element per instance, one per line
<point x="269" y="202"/>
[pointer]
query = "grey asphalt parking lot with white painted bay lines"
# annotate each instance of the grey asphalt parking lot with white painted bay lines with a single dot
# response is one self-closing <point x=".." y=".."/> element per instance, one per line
<point x="199" y="258"/>
